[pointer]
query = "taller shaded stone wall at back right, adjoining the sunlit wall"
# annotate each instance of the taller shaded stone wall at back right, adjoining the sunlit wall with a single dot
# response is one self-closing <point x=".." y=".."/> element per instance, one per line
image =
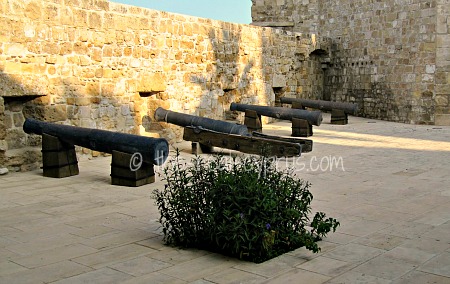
<point x="391" y="57"/>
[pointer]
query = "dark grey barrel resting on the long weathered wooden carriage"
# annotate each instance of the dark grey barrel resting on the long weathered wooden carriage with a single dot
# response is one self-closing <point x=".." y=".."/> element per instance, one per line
<point x="185" y="120"/>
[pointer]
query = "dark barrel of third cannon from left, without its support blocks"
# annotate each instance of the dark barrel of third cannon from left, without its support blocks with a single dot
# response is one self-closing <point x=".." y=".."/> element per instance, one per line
<point x="313" y="117"/>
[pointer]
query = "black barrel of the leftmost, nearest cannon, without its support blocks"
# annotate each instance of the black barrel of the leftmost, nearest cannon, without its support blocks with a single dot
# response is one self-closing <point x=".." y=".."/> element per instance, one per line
<point x="152" y="150"/>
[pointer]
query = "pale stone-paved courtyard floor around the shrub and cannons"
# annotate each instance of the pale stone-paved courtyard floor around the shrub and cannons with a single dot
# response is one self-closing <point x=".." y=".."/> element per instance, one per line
<point x="387" y="183"/>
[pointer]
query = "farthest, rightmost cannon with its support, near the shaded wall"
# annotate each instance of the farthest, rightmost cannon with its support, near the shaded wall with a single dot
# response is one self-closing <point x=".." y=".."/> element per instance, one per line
<point x="339" y="110"/>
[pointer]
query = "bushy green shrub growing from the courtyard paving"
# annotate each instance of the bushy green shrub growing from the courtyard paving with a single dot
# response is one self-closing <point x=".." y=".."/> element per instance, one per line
<point x="244" y="208"/>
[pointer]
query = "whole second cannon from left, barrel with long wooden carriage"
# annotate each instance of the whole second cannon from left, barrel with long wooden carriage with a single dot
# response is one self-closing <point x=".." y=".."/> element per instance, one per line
<point x="206" y="133"/>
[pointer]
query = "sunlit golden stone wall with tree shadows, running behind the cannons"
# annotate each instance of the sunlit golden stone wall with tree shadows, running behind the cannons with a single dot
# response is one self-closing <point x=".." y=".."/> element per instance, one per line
<point x="104" y="65"/>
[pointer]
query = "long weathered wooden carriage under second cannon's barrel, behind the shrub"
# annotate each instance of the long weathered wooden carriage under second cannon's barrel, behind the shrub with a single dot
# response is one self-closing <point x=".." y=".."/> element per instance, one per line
<point x="259" y="144"/>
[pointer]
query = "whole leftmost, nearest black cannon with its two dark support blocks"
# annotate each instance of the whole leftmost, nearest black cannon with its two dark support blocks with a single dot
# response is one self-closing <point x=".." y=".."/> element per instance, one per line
<point x="133" y="156"/>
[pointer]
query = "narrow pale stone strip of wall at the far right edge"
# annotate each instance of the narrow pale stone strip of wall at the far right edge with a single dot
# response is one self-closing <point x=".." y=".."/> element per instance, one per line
<point x="443" y="63"/>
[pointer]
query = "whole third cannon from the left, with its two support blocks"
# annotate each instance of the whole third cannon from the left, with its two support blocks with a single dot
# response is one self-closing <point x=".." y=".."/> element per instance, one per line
<point x="302" y="120"/>
